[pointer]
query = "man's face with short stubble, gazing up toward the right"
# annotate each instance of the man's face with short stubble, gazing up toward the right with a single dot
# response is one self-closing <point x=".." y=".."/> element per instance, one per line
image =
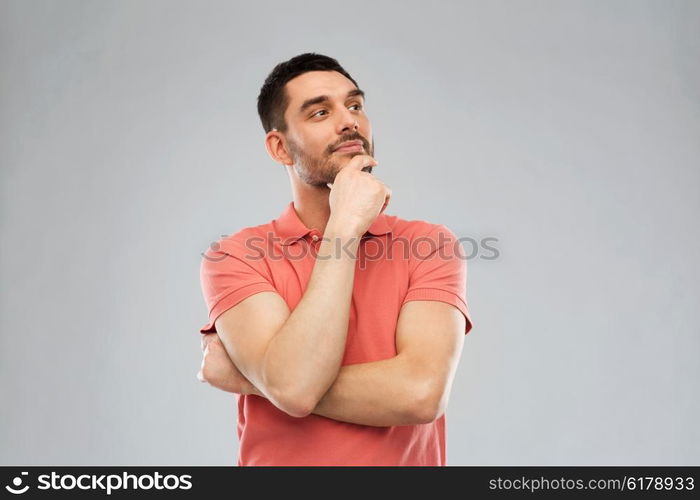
<point x="316" y="131"/>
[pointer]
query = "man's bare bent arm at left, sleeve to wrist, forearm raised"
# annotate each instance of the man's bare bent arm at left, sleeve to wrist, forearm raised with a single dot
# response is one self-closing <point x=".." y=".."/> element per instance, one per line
<point x="293" y="358"/>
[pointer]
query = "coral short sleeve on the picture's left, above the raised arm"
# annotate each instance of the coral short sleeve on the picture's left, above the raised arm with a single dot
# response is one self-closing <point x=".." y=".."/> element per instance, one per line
<point x="230" y="273"/>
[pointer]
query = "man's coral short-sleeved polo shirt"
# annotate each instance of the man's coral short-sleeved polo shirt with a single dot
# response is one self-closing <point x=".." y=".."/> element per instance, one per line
<point x="398" y="261"/>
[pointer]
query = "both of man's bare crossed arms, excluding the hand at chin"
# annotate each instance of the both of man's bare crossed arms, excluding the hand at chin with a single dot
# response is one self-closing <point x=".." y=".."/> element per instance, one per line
<point x="294" y="358"/>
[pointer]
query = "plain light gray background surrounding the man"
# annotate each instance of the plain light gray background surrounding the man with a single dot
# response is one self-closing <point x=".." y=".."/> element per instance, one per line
<point x="570" y="131"/>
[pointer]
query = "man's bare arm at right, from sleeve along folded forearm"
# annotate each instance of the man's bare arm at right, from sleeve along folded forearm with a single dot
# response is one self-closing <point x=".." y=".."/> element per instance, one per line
<point x="412" y="387"/>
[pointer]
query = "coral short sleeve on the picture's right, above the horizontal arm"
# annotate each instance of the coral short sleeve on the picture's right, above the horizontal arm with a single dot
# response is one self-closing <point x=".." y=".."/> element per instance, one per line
<point x="438" y="271"/>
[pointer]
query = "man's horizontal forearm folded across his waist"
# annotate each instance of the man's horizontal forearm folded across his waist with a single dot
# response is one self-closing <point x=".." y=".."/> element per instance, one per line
<point x="380" y="393"/>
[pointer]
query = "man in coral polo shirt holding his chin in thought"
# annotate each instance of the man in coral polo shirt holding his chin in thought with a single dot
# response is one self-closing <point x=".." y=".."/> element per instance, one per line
<point x="340" y="344"/>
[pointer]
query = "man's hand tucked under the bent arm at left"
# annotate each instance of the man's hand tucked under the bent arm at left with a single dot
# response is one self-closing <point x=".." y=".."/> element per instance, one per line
<point x="219" y="371"/>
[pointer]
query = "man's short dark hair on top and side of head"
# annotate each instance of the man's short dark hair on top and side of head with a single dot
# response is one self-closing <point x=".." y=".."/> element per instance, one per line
<point x="273" y="99"/>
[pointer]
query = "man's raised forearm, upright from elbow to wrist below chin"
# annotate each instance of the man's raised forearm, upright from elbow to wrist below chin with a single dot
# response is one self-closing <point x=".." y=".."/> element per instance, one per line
<point x="303" y="358"/>
